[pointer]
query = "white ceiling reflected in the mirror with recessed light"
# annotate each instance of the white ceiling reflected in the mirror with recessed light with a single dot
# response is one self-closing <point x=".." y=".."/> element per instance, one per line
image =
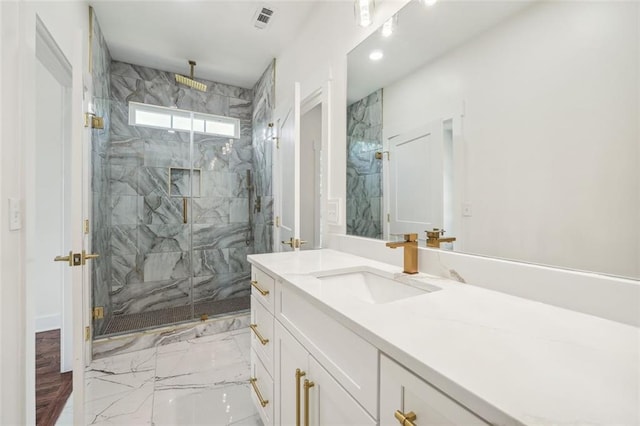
<point x="423" y="34"/>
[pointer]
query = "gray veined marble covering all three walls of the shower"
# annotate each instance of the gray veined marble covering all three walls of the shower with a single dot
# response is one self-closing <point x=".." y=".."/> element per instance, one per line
<point x="142" y="175"/>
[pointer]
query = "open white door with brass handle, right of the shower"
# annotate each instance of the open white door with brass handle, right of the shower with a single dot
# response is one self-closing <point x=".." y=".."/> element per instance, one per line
<point x="288" y="176"/>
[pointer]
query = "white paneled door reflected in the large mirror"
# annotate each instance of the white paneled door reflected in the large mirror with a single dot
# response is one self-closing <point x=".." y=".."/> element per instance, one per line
<point x="415" y="170"/>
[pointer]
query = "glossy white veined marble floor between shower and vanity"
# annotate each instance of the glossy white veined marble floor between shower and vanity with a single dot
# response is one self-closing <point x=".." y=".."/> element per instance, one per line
<point x="199" y="381"/>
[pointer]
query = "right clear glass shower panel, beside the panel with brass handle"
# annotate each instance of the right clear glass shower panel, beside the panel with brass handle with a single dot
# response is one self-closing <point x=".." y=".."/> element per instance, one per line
<point x="222" y="234"/>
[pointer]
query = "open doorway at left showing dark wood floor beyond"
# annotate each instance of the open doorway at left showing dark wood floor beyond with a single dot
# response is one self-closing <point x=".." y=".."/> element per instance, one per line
<point x="48" y="229"/>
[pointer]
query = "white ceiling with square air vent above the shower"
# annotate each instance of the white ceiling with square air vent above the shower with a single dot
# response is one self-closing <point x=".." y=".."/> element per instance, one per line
<point x="218" y="34"/>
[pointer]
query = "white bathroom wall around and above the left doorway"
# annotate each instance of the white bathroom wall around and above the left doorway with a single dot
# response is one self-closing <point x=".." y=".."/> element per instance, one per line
<point x="67" y="22"/>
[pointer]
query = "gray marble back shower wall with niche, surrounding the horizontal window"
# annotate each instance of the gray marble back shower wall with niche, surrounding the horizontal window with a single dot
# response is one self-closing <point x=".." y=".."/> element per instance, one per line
<point x="151" y="267"/>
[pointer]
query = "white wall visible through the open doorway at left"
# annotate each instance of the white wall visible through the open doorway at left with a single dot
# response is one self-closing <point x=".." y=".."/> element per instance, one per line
<point x="46" y="276"/>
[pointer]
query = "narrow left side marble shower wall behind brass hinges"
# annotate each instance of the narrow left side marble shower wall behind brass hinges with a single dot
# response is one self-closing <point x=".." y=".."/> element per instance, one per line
<point x="100" y="218"/>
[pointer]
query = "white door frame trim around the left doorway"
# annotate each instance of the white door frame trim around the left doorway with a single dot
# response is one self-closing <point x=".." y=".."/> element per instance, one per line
<point x="36" y="34"/>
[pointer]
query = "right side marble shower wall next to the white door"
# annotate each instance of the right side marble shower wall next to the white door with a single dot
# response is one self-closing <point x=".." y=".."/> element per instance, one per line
<point x="263" y="104"/>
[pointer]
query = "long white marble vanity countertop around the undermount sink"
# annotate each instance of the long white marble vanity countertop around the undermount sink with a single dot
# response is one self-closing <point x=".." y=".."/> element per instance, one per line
<point x="509" y="359"/>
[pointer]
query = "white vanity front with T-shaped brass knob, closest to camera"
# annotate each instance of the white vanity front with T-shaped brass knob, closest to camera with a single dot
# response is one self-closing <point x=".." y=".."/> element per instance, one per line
<point x="403" y="392"/>
